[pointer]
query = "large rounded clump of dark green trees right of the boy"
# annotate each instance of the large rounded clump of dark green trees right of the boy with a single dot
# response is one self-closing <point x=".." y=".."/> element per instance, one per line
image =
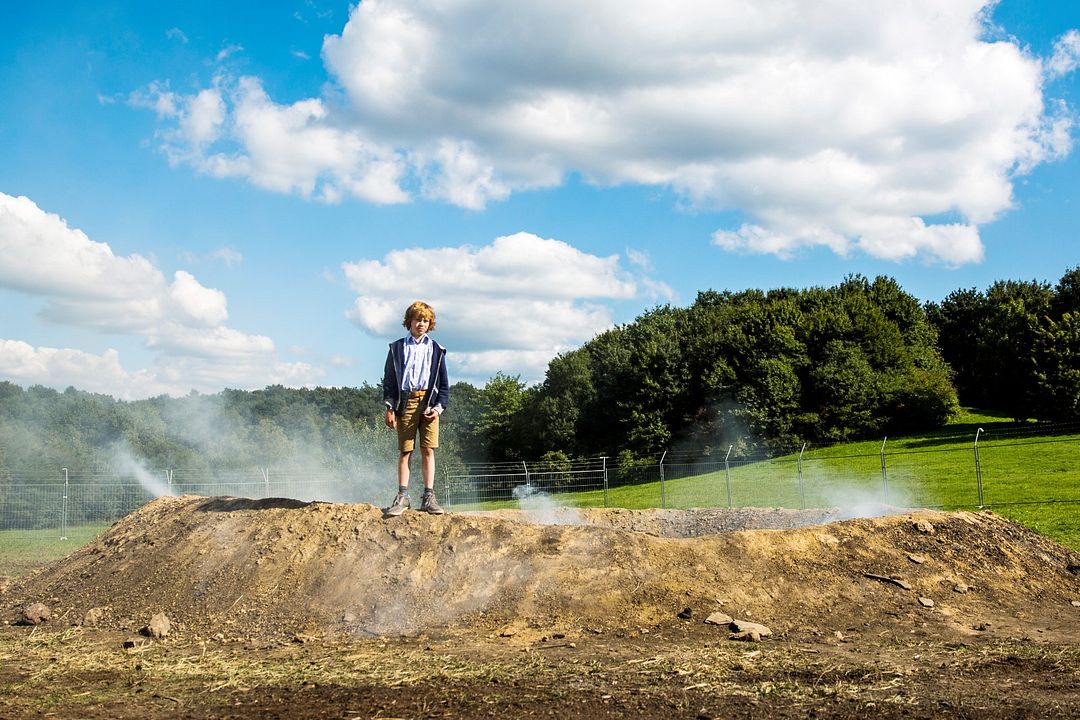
<point x="764" y="370"/>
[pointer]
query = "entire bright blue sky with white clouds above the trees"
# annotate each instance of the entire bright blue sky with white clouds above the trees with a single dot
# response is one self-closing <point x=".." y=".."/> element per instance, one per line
<point x="207" y="196"/>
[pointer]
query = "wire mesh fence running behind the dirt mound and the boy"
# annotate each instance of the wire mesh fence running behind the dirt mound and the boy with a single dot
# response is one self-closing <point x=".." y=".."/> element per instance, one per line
<point x="989" y="471"/>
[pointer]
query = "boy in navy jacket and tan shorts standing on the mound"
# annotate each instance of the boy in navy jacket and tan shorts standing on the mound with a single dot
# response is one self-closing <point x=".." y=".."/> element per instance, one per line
<point x="416" y="391"/>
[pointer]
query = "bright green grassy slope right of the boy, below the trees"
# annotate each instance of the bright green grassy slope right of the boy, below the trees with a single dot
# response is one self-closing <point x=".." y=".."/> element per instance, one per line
<point x="1033" y="480"/>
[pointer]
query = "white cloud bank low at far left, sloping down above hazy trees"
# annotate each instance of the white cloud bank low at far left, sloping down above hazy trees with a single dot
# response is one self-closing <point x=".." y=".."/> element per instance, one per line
<point x="85" y="284"/>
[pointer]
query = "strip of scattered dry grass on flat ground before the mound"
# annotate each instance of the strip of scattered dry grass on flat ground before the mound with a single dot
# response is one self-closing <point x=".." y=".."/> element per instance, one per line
<point x="72" y="669"/>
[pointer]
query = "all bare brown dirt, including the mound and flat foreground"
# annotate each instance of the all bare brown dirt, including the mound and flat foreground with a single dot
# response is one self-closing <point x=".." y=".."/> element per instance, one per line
<point x="281" y="609"/>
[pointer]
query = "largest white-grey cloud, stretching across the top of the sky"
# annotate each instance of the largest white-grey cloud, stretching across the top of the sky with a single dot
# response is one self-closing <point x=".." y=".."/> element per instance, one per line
<point x="849" y="125"/>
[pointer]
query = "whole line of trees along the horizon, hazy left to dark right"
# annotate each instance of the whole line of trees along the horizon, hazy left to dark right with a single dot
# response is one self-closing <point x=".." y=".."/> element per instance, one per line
<point x="762" y="371"/>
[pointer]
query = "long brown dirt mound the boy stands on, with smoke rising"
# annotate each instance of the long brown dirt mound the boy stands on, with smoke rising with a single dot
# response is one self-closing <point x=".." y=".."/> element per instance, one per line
<point x="273" y="569"/>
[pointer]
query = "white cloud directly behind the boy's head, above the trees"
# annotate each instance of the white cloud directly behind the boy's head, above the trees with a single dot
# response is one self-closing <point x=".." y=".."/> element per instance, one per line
<point x="514" y="305"/>
